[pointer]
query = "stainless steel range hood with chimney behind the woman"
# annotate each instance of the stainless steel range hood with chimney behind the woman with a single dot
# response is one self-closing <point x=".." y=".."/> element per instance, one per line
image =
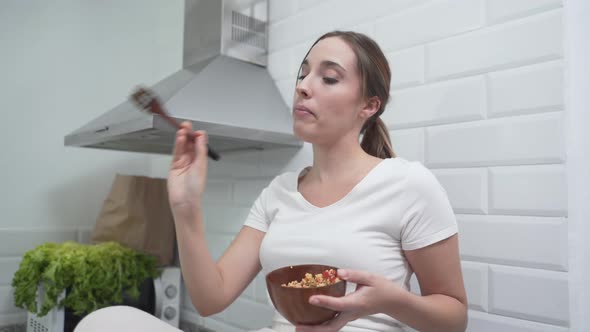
<point x="223" y="88"/>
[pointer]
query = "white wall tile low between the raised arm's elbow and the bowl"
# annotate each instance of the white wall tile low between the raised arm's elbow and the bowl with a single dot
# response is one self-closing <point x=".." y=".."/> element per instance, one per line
<point x="250" y="315"/>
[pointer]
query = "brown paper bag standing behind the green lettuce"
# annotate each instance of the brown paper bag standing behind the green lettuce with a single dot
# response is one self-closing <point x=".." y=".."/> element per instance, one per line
<point x="136" y="213"/>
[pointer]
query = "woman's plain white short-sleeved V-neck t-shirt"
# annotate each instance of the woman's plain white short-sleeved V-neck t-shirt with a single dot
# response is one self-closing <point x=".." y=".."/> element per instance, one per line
<point x="399" y="205"/>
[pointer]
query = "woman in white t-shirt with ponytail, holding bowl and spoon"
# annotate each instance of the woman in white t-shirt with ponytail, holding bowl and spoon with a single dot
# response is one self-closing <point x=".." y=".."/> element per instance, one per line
<point x="377" y="217"/>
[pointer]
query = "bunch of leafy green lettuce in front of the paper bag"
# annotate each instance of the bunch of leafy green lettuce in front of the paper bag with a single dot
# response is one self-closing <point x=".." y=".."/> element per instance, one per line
<point x="95" y="276"/>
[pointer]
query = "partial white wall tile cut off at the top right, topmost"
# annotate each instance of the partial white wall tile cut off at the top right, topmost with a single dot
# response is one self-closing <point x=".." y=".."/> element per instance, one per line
<point x="502" y="10"/>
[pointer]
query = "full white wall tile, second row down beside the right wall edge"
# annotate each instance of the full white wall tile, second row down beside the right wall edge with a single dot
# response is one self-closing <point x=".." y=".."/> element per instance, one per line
<point x="536" y="39"/>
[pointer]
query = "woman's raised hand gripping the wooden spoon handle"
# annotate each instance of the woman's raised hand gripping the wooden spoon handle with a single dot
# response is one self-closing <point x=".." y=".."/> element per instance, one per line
<point x="188" y="171"/>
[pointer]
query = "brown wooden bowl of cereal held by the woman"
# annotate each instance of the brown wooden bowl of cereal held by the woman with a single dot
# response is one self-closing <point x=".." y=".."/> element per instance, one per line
<point x="293" y="303"/>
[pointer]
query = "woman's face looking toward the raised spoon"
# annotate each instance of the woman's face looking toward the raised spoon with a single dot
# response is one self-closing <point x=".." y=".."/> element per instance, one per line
<point x="328" y="103"/>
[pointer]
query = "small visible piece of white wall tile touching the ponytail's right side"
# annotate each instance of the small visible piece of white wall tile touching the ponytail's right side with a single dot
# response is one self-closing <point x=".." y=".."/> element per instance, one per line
<point x="408" y="143"/>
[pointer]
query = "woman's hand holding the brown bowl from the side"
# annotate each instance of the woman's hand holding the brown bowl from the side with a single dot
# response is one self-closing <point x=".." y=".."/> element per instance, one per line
<point x="373" y="293"/>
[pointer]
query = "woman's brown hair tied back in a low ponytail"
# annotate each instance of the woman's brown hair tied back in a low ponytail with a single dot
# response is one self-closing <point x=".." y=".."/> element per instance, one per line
<point x="375" y="79"/>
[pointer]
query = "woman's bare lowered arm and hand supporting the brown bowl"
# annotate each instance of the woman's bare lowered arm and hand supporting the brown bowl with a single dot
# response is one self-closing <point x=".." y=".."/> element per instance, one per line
<point x="442" y="307"/>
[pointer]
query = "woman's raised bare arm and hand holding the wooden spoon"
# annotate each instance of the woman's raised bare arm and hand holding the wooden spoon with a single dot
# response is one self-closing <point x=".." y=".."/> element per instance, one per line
<point x="212" y="285"/>
